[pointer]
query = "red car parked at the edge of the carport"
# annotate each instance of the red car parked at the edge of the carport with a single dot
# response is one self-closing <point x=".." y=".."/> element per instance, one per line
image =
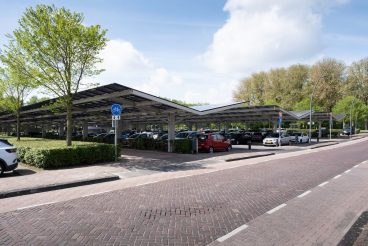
<point x="213" y="142"/>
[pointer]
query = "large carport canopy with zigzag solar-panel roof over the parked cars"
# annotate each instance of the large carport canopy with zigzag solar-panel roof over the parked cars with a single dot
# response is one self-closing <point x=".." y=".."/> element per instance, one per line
<point x="93" y="107"/>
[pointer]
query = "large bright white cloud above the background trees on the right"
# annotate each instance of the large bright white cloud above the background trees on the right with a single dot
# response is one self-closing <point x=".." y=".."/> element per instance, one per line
<point x="265" y="33"/>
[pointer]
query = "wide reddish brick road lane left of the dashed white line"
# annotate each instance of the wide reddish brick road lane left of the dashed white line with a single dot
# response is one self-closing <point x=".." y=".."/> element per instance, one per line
<point x="187" y="211"/>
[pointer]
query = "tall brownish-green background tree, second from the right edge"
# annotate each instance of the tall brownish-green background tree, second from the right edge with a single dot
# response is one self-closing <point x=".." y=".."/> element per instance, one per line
<point x="327" y="82"/>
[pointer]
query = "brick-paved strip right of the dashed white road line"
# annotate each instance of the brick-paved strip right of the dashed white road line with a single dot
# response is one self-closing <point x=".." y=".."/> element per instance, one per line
<point x="320" y="216"/>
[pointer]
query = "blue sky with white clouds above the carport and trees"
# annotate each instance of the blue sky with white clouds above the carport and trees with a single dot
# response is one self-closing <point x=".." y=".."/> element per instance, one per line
<point x="199" y="50"/>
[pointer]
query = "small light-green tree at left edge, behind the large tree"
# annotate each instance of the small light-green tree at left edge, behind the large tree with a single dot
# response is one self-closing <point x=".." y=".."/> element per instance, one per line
<point x="15" y="89"/>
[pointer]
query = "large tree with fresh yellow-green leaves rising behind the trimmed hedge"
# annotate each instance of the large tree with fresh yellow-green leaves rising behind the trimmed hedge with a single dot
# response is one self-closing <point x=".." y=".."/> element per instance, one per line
<point x="60" y="52"/>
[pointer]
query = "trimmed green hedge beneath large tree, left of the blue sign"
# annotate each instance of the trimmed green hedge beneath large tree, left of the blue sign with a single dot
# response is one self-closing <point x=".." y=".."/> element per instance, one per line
<point x="67" y="156"/>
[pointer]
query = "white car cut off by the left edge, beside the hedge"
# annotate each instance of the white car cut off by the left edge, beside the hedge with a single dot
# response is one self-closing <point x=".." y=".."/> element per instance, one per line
<point x="8" y="156"/>
